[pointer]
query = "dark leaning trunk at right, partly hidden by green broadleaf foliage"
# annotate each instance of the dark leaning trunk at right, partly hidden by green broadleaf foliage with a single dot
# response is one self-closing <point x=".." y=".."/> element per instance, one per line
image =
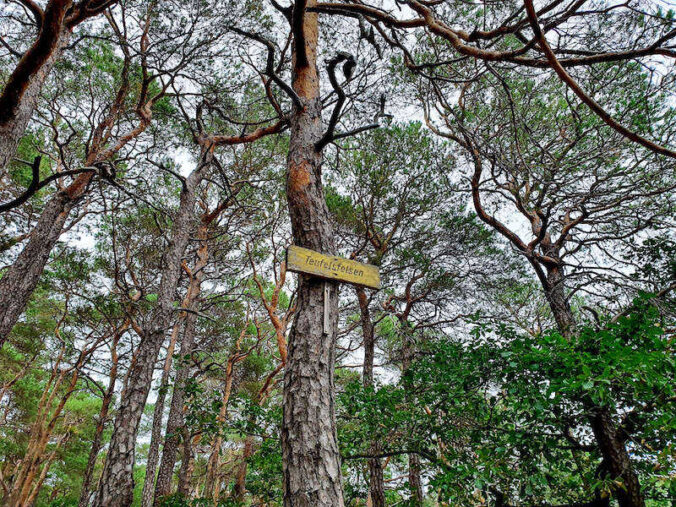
<point x="610" y="444"/>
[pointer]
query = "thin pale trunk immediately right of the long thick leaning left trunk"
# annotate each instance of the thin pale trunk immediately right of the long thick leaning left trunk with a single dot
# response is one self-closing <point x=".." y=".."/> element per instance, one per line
<point x="156" y="433"/>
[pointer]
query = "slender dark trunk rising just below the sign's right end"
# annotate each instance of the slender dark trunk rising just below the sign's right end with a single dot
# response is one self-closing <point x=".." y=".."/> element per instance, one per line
<point x="376" y="483"/>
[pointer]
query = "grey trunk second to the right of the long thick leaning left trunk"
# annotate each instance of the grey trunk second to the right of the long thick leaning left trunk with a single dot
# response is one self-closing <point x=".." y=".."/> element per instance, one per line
<point x="176" y="420"/>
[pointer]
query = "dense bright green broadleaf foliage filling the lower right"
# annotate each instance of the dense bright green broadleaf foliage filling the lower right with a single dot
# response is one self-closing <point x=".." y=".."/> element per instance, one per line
<point x="510" y="412"/>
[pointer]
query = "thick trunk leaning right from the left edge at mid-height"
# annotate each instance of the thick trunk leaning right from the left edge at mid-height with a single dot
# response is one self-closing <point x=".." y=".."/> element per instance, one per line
<point x="19" y="282"/>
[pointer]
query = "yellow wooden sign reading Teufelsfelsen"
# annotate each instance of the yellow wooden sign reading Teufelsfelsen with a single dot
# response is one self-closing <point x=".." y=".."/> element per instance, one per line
<point x="302" y="260"/>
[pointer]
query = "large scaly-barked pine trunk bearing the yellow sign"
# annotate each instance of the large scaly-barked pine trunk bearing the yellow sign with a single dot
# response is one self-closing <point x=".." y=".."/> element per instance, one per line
<point x="311" y="459"/>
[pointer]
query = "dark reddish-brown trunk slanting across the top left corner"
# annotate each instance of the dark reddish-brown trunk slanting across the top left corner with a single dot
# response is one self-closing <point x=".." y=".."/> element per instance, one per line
<point x="21" y="93"/>
